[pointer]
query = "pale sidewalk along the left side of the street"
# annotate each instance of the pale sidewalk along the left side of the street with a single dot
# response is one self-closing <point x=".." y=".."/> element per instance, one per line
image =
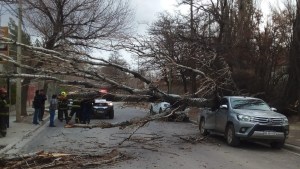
<point x="18" y="131"/>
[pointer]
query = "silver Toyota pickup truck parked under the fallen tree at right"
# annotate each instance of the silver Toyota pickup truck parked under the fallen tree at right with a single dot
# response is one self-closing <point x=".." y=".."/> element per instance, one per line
<point x="245" y="118"/>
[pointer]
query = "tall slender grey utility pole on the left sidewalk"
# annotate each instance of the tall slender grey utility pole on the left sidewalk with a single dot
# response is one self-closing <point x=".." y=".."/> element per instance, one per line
<point x="19" y="84"/>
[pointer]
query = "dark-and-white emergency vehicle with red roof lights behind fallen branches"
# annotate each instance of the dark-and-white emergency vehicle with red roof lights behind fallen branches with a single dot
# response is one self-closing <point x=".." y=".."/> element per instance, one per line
<point x="103" y="108"/>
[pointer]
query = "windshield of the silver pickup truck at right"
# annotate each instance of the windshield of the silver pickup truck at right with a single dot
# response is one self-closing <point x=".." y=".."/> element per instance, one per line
<point x="248" y="104"/>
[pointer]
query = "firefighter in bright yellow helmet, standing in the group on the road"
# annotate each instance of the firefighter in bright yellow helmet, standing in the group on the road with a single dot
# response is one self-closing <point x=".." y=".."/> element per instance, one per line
<point x="63" y="107"/>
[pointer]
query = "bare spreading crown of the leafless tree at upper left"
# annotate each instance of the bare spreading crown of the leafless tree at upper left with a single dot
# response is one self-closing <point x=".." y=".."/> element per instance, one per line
<point x="80" y="23"/>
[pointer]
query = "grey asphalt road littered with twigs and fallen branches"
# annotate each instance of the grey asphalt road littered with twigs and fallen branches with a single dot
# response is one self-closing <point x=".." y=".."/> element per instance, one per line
<point x="159" y="144"/>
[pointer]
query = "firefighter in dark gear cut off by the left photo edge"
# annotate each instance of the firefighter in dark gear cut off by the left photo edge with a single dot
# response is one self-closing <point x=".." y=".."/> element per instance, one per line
<point x="4" y="113"/>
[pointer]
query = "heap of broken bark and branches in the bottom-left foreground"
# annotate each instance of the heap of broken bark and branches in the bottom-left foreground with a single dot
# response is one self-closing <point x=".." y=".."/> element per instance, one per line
<point x="62" y="161"/>
